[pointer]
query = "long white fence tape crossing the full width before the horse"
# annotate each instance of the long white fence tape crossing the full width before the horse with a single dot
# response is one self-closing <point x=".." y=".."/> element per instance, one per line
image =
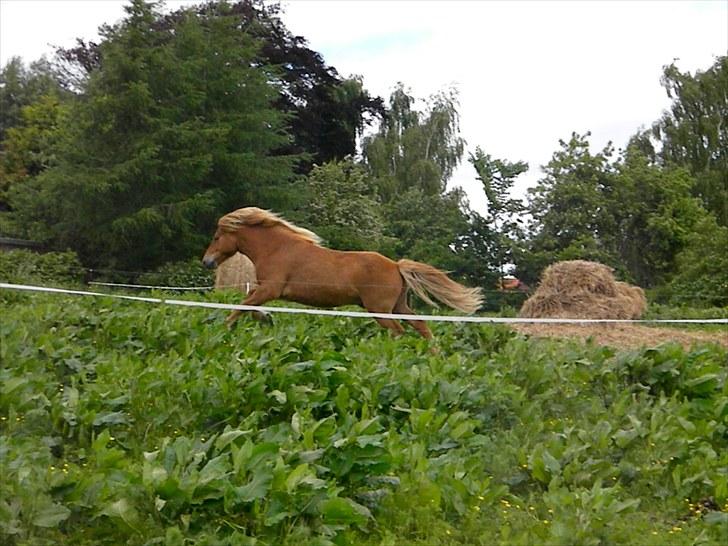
<point x="355" y="314"/>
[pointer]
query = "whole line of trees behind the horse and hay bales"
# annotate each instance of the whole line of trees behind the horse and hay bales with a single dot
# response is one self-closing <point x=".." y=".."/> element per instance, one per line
<point x="126" y="151"/>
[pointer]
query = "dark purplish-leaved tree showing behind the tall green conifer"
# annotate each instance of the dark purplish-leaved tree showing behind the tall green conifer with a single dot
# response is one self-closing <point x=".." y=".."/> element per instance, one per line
<point x="327" y="112"/>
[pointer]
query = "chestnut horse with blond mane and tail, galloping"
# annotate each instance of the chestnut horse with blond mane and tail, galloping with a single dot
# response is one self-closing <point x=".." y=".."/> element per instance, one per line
<point x="291" y="265"/>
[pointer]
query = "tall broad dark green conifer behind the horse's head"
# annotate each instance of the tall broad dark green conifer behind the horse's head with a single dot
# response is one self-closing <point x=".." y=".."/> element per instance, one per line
<point x="175" y="128"/>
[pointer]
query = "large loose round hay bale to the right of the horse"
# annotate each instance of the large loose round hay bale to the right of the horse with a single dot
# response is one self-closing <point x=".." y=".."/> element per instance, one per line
<point x="581" y="289"/>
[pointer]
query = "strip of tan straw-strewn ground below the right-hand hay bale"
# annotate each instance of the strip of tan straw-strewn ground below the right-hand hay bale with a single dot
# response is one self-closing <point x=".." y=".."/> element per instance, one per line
<point x="625" y="335"/>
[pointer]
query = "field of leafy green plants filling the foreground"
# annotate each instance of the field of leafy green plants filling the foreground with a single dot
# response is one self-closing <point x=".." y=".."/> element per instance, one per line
<point x="128" y="423"/>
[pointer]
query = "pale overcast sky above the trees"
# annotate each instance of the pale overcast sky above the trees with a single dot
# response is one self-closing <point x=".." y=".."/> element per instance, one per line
<point x="529" y="73"/>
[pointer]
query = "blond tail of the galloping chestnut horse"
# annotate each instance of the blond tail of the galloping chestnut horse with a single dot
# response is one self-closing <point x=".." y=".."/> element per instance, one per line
<point x="424" y="279"/>
